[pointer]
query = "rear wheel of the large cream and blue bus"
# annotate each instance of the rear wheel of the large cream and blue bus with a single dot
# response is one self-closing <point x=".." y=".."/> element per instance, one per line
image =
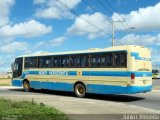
<point x="80" y="90"/>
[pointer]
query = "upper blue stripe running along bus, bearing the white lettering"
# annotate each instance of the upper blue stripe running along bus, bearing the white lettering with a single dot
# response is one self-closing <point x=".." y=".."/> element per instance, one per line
<point x="97" y="73"/>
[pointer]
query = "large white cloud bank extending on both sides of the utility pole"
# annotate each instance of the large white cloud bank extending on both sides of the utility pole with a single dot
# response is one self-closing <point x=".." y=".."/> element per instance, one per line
<point x="144" y="19"/>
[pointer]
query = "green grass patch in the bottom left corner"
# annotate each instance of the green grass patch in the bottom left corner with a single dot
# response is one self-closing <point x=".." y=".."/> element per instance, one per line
<point x="28" y="111"/>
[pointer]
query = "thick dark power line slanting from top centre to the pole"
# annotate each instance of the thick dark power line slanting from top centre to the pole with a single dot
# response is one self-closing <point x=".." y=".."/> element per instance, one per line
<point x="75" y="13"/>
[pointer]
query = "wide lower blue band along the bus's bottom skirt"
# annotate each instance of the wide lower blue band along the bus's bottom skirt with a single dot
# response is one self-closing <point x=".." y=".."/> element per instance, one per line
<point x="90" y="88"/>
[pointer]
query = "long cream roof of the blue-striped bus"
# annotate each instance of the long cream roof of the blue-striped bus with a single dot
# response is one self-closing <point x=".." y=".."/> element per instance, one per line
<point x="91" y="50"/>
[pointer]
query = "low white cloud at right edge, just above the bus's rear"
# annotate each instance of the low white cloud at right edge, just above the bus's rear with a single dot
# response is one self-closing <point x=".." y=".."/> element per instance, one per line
<point x="144" y="40"/>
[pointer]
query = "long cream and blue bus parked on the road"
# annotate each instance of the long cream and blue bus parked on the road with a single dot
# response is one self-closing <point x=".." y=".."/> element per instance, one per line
<point x="113" y="70"/>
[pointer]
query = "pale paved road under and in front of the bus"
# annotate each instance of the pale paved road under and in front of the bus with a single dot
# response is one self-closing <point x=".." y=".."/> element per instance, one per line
<point x="92" y="104"/>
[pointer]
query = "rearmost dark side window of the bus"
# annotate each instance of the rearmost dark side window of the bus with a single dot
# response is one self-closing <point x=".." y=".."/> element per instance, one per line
<point x="120" y="59"/>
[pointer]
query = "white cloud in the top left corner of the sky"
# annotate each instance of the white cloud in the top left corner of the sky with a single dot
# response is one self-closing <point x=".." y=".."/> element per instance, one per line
<point x="5" y="6"/>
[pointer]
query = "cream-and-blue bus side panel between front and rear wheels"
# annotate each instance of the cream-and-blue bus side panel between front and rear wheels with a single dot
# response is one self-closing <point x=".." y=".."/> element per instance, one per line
<point x="55" y="82"/>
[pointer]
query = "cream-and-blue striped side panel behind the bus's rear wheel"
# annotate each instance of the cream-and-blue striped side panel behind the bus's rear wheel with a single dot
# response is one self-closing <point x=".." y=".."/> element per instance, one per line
<point x="103" y="80"/>
